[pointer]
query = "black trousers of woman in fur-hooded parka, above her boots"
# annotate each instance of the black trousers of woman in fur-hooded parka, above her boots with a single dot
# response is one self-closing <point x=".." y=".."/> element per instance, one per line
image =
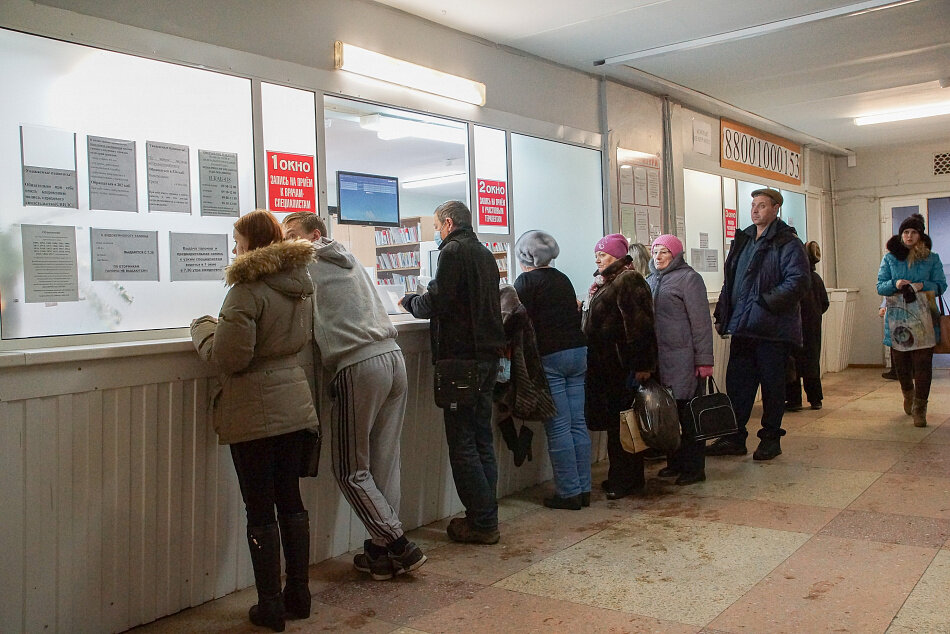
<point x="268" y="471"/>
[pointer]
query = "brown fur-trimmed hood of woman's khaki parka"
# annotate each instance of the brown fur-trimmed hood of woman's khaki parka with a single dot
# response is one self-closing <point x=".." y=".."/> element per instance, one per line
<point x="282" y="266"/>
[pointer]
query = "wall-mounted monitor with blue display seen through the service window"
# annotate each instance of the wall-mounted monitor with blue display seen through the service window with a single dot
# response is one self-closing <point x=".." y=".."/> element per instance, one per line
<point x="367" y="199"/>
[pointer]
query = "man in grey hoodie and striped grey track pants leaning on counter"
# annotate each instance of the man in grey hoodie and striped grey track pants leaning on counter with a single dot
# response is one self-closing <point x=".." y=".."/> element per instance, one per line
<point x="355" y="349"/>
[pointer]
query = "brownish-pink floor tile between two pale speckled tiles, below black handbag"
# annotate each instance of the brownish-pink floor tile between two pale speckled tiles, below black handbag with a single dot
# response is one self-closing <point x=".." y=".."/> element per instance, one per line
<point x="758" y="513"/>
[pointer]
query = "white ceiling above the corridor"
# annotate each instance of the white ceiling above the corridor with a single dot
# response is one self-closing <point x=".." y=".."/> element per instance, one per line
<point x="813" y="78"/>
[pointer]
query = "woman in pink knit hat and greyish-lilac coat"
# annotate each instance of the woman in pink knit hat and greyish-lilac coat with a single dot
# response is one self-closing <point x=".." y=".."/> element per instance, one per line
<point x="684" y="340"/>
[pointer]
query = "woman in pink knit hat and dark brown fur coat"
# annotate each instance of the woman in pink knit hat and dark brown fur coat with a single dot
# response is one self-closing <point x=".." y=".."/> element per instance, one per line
<point x="621" y="349"/>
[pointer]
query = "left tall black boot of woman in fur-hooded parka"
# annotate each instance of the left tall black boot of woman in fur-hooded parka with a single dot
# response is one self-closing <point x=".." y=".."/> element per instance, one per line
<point x="264" y="544"/>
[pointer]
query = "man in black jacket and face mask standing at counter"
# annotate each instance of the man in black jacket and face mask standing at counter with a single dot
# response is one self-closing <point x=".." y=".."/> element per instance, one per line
<point x="463" y="305"/>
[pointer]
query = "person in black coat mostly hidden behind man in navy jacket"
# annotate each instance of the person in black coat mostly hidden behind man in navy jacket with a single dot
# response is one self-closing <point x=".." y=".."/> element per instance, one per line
<point x="808" y="358"/>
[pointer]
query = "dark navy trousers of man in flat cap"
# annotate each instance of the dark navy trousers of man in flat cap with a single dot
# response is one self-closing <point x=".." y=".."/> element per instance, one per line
<point x="755" y="362"/>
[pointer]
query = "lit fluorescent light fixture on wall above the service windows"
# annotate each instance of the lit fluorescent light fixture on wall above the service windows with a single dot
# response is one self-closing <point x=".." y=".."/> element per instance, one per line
<point x="396" y="71"/>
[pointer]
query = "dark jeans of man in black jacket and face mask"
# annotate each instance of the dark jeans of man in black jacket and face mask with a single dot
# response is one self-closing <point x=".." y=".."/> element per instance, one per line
<point x="468" y="433"/>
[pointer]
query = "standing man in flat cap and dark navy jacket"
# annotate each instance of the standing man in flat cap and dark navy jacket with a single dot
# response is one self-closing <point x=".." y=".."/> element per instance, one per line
<point x="766" y="275"/>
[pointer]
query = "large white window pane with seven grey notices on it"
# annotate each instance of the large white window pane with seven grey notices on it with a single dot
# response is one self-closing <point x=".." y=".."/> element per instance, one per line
<point x="99" y="169"/>
